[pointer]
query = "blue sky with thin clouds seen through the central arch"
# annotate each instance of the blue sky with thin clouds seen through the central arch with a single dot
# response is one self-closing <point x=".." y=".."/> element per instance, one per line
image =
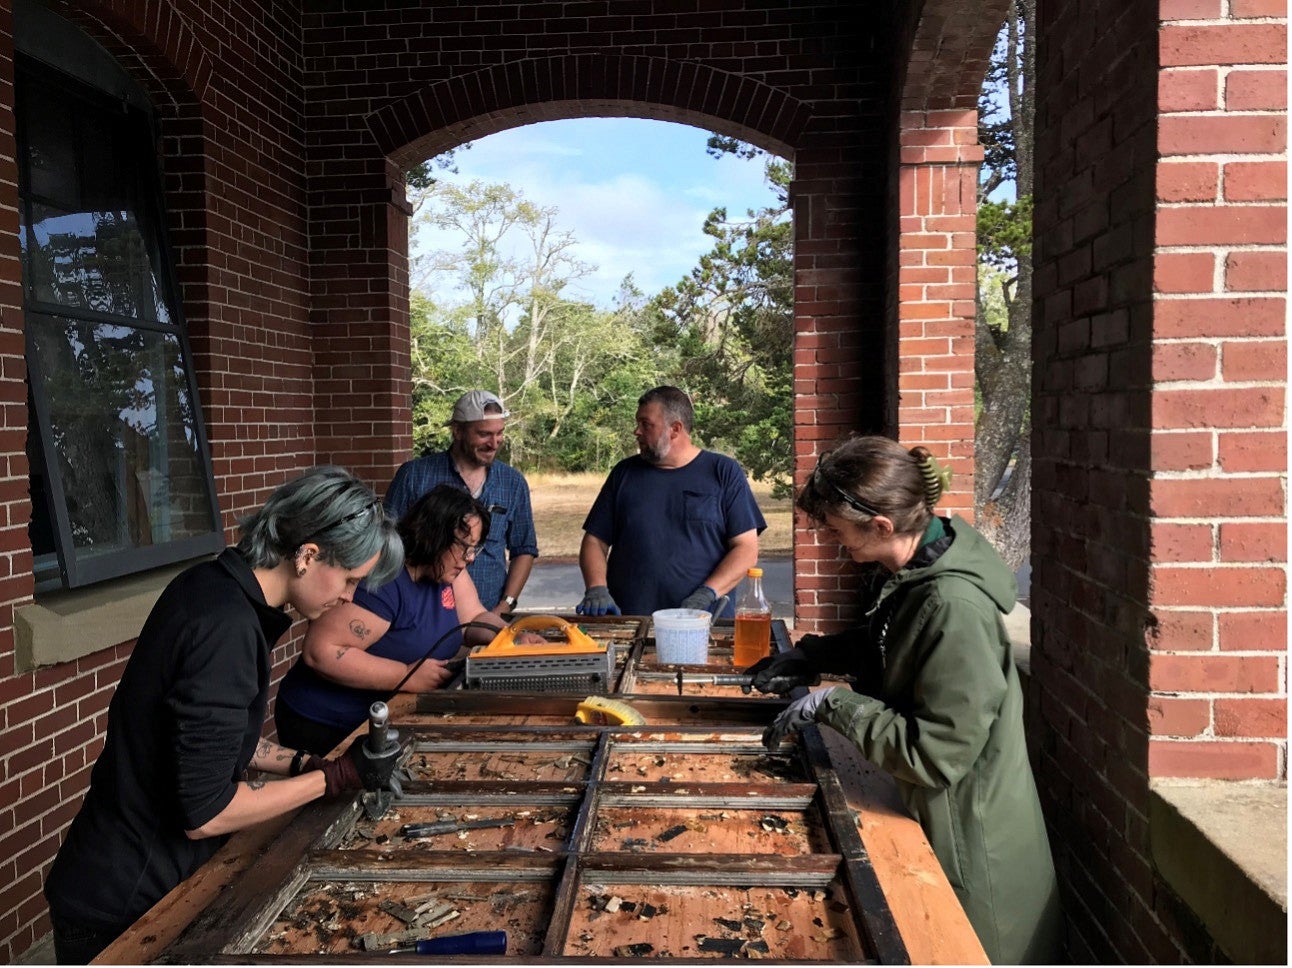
<point x="634" y="193"/>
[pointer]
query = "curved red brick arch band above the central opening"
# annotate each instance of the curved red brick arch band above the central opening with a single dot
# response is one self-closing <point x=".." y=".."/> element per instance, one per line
<point x="484" y="103"/>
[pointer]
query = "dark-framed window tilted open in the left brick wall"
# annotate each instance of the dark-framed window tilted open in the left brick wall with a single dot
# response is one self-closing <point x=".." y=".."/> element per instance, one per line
<point x="121" y="472"/>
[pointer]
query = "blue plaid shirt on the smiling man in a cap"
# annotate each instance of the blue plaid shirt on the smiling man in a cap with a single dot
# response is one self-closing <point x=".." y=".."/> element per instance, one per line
<point x="506" y="494"/>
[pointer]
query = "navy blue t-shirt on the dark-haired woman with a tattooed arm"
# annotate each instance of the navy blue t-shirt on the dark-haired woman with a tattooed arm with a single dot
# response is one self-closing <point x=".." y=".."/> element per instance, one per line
<point x="419" y="613"/>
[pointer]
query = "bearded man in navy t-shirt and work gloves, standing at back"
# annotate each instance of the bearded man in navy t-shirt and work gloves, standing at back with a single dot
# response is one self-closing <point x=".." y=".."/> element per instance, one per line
<point x="674" y="527"/>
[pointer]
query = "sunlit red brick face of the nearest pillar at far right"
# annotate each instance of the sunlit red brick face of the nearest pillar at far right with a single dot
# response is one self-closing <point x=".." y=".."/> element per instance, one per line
<point x="1219" y="445"/>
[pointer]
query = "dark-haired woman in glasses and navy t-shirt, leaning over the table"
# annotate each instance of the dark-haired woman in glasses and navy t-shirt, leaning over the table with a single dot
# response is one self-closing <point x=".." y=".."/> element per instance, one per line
<point x="401" y="637"/>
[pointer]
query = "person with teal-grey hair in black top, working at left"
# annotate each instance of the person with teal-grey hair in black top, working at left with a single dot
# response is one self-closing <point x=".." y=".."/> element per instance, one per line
<point x="187" y="719"/>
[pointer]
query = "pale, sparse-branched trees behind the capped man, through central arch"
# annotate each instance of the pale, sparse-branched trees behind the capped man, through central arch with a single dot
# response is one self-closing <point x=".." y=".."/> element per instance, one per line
<point x="501" y="320"/>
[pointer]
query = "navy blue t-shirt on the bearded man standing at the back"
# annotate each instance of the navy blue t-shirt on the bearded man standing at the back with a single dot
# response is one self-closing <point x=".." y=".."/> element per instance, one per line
<point x="669" y="529"/>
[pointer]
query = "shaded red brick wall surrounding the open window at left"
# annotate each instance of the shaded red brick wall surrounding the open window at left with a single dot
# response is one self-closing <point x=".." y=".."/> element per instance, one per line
<point x="233" y="176"/>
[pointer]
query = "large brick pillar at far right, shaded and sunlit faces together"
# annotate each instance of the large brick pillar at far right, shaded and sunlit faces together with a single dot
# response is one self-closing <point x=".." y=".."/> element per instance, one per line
<point x="1158" y="585"/>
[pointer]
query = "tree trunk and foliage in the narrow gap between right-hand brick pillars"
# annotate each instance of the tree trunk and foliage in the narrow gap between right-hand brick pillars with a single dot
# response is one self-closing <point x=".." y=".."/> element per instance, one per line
<point x="1003" y="341"/>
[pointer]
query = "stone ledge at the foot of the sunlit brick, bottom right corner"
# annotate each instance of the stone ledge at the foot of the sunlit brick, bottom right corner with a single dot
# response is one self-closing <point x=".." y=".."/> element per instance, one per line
<point x="1223" y="847"/>
